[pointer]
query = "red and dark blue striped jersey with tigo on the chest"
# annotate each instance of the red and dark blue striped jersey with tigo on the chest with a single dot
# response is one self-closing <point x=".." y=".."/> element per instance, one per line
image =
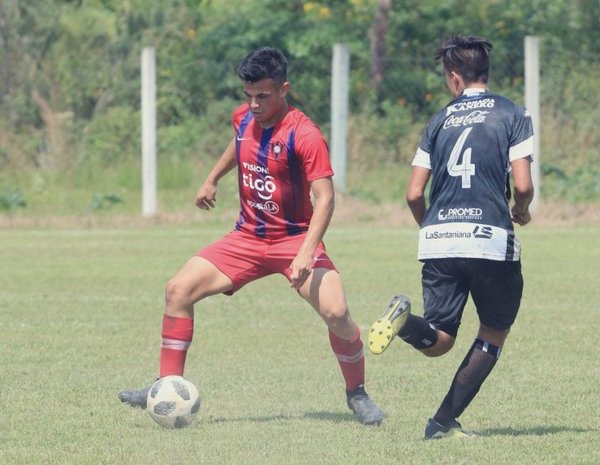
<point x="275" y="168"/>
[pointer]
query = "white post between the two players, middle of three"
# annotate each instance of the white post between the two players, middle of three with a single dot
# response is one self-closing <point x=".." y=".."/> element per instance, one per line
<point x="340" y="88"/>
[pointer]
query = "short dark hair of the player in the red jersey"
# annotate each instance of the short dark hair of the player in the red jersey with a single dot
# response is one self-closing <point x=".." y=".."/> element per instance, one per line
<point x="264" y="63"/>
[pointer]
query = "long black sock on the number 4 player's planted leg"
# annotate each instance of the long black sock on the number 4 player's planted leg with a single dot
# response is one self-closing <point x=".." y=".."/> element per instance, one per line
<point x="471" y="374"/>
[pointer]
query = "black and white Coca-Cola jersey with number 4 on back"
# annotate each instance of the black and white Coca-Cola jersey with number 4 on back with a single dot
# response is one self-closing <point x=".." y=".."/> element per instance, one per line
<point x="468" y="146"/>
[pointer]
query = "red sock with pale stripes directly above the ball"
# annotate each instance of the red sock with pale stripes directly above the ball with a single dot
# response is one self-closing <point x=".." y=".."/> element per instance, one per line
<point x="176" y="335"/>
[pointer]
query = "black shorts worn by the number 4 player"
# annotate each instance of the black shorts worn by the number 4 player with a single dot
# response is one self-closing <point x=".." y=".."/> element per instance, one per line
<point x="495" y="286"/>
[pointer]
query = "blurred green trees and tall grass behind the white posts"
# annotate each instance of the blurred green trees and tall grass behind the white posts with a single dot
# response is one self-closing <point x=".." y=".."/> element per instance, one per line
<point x="70" y="123"/>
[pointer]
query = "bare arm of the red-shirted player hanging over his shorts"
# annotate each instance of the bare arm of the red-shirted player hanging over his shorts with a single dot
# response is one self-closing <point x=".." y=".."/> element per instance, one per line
<point x="324" y="203"/>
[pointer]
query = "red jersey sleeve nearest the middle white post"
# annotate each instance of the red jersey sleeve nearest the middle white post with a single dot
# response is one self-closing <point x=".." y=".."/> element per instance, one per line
<point x="313" y="151"/>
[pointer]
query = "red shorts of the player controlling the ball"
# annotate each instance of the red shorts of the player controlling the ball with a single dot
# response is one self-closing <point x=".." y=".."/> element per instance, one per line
<point x="244" y="258"/>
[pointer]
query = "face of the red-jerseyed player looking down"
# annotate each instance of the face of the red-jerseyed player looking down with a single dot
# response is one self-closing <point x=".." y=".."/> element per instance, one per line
<point x="267" y="101"/>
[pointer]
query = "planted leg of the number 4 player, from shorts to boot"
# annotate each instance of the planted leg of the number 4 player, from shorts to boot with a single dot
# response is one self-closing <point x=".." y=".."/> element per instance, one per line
<point x="496" y="290"/>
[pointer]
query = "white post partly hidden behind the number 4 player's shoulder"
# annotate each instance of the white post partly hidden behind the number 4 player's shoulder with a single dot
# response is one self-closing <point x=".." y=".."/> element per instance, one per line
<point x="532" y="102"/>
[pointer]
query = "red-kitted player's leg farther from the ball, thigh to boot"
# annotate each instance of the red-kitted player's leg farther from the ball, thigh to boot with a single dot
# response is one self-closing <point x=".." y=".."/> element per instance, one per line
<point x="324" y="291"/>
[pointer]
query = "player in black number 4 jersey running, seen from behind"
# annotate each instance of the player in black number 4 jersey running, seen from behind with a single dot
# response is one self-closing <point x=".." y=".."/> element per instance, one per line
<point x="466" y="240"/>
